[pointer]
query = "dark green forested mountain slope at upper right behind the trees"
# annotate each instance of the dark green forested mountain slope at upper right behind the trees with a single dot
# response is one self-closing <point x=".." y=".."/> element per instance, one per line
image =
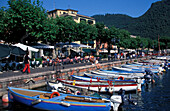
<point x="156" y="21"/>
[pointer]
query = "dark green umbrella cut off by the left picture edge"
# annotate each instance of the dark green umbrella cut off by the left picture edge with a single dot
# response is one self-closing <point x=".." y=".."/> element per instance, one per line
<point x="5" y="51"/>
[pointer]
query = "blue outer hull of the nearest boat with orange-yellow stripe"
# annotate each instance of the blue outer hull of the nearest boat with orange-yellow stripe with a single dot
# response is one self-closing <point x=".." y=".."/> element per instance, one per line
<point x="57" y="104"/>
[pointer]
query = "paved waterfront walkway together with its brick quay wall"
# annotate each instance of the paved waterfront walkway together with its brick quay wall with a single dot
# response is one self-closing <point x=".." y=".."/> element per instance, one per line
<point x="39" y="76"/>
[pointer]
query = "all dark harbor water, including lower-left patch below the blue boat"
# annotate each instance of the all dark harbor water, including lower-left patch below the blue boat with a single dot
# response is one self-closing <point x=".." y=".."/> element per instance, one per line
<point x="154" y="97"/>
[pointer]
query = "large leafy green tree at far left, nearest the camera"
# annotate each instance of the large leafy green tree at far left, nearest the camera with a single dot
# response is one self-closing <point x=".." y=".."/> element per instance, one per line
<point x="23" y="21"/>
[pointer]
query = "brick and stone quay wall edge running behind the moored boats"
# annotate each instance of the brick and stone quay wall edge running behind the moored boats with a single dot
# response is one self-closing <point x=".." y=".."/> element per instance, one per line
<point x="36" y="80"/>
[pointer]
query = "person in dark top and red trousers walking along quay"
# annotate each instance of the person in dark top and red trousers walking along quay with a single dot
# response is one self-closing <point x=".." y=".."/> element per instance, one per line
<point x="27" y="63"/>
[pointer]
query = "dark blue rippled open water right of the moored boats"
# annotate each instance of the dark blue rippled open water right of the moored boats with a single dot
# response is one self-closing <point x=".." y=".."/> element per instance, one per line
<point x="153" y="97"/>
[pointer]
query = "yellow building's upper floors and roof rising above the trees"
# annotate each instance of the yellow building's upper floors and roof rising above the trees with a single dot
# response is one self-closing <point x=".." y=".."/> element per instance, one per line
<point x="73" y="13"/>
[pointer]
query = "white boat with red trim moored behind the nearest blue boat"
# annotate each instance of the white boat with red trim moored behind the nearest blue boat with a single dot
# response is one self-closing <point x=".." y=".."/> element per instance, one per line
<point x="101" y="86"/>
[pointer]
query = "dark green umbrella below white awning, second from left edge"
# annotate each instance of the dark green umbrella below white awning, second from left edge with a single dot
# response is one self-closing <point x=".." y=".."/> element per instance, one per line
<point x="17" y="51"/>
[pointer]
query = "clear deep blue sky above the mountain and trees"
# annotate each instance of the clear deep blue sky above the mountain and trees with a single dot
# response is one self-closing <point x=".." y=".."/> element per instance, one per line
<point x="133" y="8"/>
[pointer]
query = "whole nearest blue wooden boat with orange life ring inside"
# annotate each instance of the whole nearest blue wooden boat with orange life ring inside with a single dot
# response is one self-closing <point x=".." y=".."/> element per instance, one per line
<point x="58" y="101"/>
